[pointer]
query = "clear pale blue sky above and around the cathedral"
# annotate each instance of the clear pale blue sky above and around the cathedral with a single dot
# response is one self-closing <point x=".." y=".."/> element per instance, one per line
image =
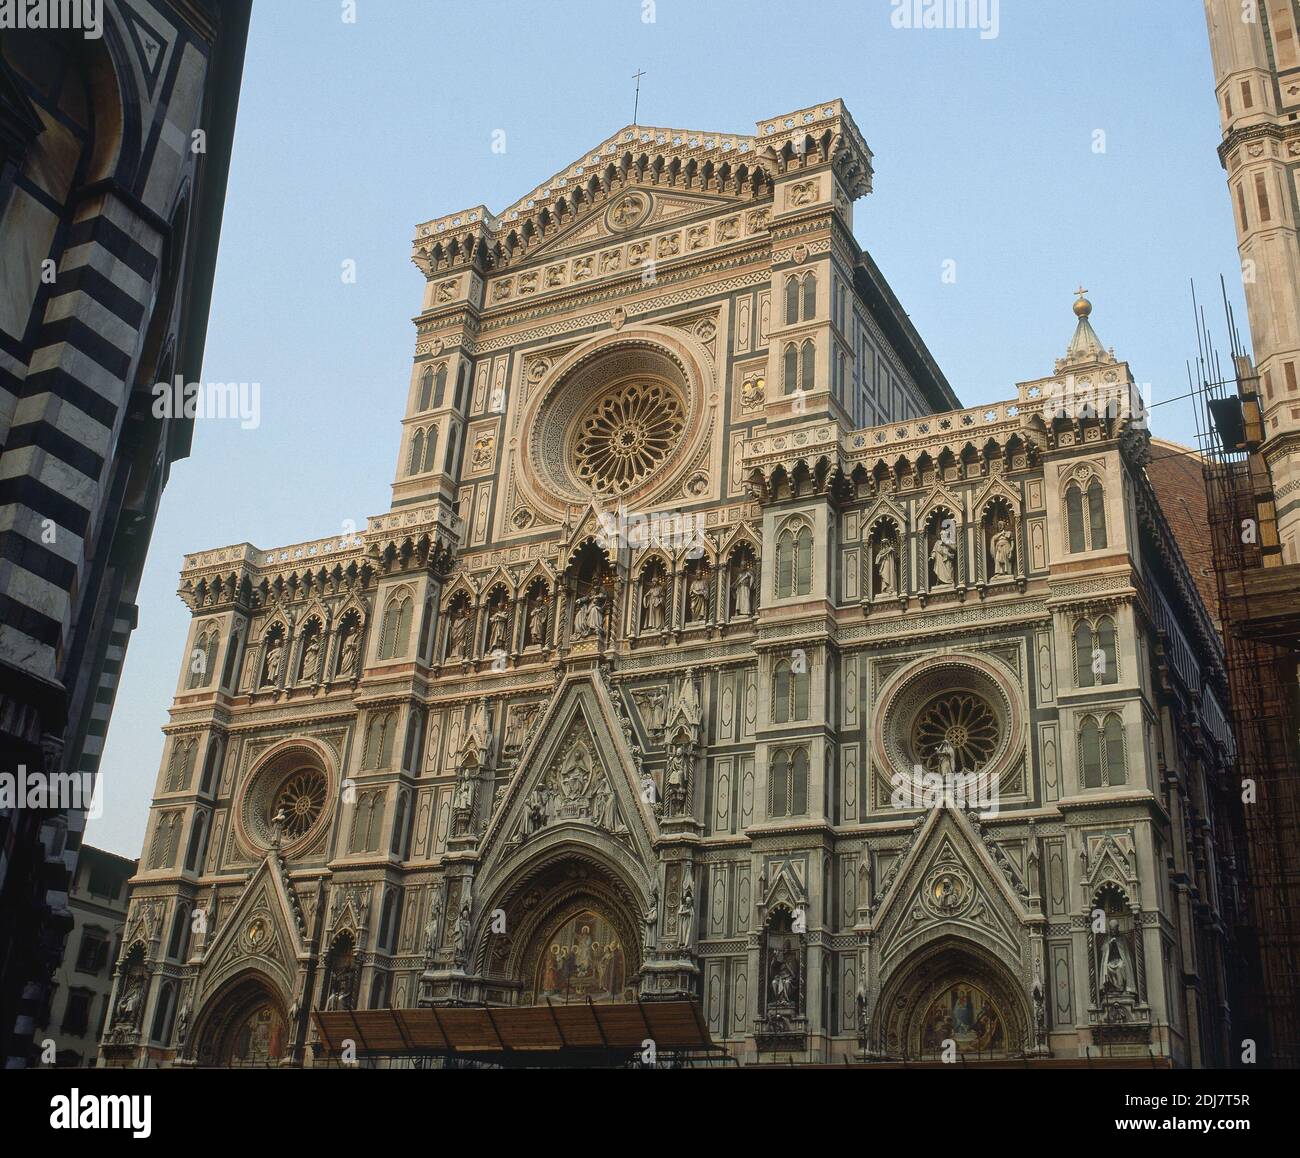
<point x="350" y="135"/>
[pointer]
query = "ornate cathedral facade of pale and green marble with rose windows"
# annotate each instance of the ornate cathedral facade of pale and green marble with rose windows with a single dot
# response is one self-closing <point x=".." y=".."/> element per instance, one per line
<point x="709" y="650"/>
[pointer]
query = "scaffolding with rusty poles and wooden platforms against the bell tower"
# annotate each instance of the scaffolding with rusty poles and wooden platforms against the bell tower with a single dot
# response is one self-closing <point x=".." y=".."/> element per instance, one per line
<point x="1259" y="606"/>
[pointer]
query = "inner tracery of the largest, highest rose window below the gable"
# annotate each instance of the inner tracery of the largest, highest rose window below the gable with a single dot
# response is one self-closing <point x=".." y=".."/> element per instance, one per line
<point x="627" y="435"/>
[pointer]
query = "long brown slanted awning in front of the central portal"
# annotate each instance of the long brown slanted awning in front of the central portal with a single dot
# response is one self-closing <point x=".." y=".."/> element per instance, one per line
<point x="540" y="1035"/>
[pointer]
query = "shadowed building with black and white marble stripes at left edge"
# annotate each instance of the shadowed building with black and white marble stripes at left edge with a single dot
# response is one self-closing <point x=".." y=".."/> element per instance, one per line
<point x="114" y="158"/>
